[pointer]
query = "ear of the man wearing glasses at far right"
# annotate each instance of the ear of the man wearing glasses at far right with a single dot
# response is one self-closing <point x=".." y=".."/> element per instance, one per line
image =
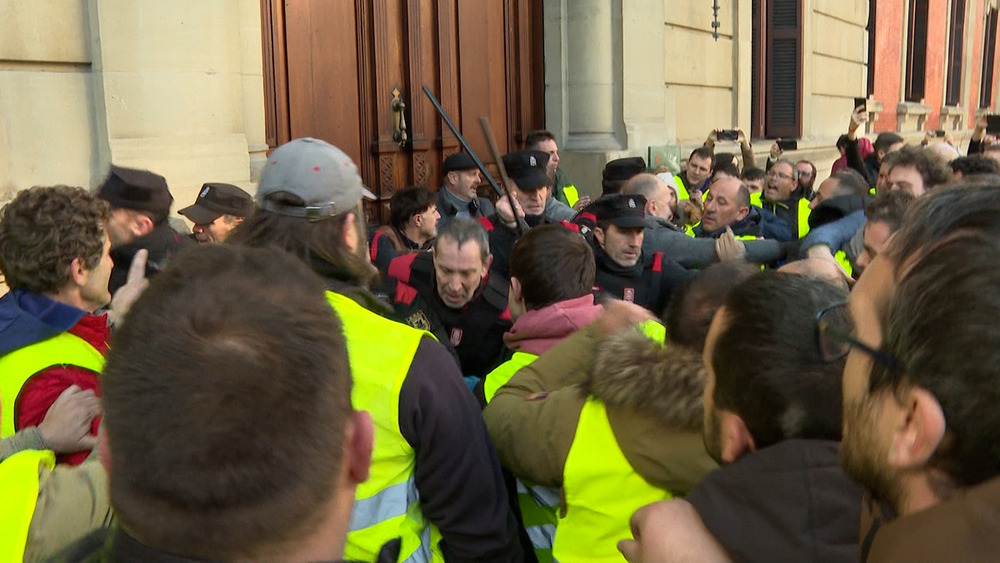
<point x="918" y="430"/>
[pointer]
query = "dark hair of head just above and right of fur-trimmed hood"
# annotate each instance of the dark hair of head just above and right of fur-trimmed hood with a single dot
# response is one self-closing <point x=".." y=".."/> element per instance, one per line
<point x="695" y="302"/>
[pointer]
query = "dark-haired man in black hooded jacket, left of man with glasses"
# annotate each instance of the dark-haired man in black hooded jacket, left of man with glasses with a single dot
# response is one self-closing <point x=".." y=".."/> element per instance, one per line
<point x="773" y="420"/>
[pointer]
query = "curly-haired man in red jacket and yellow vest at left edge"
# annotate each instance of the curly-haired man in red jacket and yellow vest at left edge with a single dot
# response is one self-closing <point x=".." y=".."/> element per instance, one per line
<point x="54" y="256"/>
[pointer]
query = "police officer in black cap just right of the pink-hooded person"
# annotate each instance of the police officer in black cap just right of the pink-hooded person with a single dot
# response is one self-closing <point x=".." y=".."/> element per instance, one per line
<point x="624" y="271"/>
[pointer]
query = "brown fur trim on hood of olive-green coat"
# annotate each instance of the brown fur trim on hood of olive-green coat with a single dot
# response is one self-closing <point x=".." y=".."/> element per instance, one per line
<point x="666" y="381"/>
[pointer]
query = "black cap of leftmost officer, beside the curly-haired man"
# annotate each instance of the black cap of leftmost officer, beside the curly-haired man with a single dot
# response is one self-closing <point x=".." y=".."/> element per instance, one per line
<point x="137" y="190"/>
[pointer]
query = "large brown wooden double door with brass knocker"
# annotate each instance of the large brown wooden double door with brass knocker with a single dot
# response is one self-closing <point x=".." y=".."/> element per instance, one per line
<point x="351" y="72"/>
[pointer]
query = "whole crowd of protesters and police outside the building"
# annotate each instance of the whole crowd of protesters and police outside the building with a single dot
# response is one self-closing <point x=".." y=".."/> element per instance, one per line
<point x="728" y="363"/>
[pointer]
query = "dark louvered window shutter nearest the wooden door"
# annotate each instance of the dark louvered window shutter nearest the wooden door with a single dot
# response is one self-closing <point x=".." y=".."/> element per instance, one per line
<point x="784" y="68"/>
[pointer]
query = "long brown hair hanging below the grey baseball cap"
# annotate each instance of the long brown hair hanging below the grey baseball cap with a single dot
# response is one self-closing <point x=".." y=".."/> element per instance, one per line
<point x="317" y="243"/>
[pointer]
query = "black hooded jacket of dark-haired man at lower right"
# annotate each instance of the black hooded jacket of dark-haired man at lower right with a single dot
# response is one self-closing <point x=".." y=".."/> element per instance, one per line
<point x="787" y="502"/>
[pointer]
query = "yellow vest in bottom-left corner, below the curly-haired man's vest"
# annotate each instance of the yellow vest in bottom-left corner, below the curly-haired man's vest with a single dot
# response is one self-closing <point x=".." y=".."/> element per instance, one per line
<point x="18" y="496"/>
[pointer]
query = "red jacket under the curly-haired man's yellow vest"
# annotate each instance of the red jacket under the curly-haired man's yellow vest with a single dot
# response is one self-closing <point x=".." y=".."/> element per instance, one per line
<point x="43" y="388"/>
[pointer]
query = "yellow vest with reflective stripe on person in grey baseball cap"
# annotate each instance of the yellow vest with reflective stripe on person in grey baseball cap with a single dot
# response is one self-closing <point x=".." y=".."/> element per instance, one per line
<point x="386" y="506"/>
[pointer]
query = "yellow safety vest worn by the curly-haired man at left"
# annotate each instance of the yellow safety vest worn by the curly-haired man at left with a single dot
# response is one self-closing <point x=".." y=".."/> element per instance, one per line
<point x="18" y="366"/>
